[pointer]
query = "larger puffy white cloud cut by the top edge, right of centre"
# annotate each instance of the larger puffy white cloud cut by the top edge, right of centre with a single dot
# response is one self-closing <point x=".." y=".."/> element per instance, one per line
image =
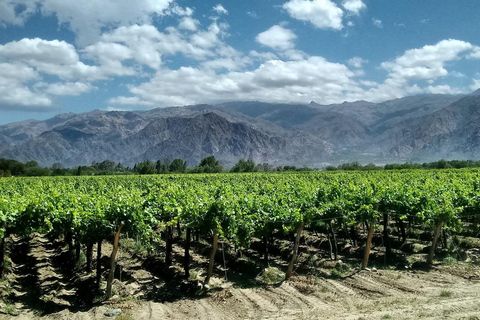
<point x="323" y="14"/>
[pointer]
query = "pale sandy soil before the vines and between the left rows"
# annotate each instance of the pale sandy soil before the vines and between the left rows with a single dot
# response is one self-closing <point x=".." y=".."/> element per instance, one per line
<point x="443" y="292"/>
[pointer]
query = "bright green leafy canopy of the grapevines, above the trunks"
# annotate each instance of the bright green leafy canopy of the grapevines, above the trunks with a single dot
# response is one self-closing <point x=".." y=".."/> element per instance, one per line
<point x="236" y="207"/>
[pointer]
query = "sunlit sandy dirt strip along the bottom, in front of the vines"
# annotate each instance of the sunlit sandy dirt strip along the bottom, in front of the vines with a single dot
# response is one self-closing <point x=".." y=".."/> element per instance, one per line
<point x="445" y="293"/>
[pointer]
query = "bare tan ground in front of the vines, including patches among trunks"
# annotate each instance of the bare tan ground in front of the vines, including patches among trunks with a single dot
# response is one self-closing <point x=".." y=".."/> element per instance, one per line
<point x="149" y="292"/>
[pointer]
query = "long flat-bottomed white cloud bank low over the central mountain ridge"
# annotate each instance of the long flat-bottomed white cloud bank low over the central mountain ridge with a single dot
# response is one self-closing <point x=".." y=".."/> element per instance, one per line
<point x="281" y="81"/>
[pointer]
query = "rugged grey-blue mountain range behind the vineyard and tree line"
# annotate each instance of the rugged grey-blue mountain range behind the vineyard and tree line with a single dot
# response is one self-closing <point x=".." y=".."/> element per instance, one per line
<point x="416" y="128"/>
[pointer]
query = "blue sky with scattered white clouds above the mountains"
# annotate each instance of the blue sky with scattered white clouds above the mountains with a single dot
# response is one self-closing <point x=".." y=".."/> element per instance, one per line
<point x="59" y="56"/>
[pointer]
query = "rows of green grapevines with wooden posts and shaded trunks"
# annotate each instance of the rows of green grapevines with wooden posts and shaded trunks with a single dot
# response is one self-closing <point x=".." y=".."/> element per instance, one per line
<point x="236" y="223"/>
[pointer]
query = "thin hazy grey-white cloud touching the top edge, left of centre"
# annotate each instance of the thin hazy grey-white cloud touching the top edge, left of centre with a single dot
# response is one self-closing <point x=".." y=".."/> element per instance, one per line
<point x="87" y="18"/>
